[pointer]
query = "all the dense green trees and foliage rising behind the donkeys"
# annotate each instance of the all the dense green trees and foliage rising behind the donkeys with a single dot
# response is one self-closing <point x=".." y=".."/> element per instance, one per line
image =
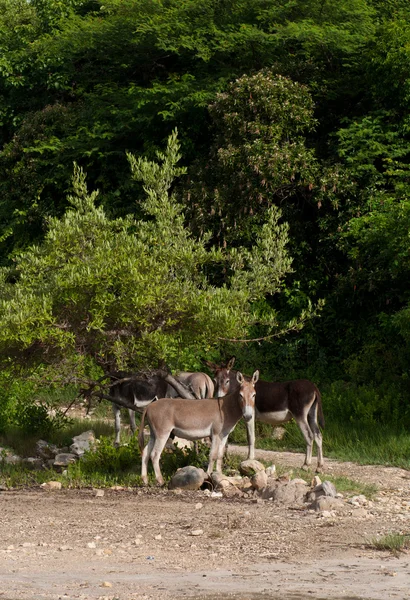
<point x="289" y="209"/>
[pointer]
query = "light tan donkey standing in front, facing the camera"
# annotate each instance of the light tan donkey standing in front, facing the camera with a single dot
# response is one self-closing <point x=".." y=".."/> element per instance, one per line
<point x="214" y="418"/>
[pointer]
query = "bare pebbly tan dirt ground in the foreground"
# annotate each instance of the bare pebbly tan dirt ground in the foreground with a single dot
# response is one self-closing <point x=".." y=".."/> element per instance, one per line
<point x="137" y="544"/>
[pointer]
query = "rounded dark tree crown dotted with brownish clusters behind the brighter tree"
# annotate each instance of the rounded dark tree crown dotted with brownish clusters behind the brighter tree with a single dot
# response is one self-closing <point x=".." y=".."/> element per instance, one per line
<point x="259" y="156"/>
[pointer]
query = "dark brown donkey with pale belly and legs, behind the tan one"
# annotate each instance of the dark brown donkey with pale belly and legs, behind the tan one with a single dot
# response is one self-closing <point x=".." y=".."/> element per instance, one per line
<point x="277" y="403"/>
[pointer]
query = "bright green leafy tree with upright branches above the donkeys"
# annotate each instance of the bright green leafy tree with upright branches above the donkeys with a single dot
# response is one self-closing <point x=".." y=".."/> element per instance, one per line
<point x="131" y="292"/>
